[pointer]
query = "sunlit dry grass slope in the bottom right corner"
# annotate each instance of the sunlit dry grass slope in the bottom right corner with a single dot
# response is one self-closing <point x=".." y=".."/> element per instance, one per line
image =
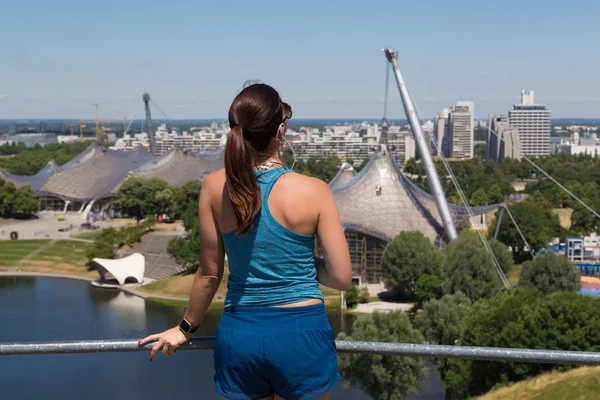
<point x="581" y="383"/>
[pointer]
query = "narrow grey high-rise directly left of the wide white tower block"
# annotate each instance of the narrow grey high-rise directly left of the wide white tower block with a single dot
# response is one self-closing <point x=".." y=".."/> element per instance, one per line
<point x="503" y="140"/>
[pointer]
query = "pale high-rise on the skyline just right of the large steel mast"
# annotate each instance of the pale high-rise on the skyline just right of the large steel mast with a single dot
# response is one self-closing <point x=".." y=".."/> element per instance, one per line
<point x="454" y="130"/>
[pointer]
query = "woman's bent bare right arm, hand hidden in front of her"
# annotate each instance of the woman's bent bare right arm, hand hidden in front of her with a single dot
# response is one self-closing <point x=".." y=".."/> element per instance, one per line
<point x="334" y="270"/>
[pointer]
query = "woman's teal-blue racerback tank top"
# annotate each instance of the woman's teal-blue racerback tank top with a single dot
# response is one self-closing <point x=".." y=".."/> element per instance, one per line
<point x="270" y="265"/>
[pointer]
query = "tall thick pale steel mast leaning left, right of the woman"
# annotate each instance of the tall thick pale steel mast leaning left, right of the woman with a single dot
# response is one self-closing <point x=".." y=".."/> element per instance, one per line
<point x="413" y="120"/>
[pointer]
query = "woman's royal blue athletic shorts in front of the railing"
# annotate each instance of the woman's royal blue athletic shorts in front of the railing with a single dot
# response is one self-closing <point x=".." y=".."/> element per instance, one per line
<point x="288" y="351"/>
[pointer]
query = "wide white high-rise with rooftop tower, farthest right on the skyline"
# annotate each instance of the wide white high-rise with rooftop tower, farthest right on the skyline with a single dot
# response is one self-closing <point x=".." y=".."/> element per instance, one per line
<point x="533" y="123"/>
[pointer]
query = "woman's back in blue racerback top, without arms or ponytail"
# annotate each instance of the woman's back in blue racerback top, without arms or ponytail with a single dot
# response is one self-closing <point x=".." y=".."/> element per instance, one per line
<point x="274" y="263"/>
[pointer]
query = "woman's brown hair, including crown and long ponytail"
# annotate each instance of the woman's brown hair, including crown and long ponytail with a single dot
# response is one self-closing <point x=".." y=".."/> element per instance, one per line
<point x="254" y="117"/>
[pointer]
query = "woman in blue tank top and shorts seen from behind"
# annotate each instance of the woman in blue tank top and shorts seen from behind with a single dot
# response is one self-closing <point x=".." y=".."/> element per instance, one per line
<point x="274" y="337"/>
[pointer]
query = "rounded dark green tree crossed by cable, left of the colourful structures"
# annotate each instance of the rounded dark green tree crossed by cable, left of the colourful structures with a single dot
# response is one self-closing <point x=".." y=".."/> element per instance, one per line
<point x="537" y="224"/>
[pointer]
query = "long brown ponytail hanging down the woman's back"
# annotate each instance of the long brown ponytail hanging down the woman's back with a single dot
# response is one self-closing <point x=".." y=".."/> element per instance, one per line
<point x="244" y="193"/>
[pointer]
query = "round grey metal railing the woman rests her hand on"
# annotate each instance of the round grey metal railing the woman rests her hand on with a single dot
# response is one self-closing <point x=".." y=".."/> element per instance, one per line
<point x="343" y="346"/>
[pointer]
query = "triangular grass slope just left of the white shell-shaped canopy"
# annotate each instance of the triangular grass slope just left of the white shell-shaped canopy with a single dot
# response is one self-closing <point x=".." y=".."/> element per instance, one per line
<point x="63" y="257"/>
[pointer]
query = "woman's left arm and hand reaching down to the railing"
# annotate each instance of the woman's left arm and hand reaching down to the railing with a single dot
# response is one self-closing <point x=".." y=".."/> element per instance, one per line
<point x="207" y="279"/>
